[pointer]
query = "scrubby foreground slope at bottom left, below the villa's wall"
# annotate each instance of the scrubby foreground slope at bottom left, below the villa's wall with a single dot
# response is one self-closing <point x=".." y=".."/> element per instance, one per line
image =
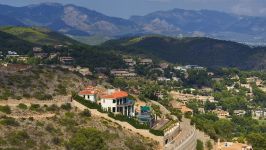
<point x="69" y="129"/>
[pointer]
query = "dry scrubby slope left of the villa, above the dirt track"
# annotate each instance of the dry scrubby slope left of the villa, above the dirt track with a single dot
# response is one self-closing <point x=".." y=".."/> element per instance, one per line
<point x="38" y="82"/>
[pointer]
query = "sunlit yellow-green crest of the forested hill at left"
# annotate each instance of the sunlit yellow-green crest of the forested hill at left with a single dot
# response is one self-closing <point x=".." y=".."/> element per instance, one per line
<point x="41" y="36"/>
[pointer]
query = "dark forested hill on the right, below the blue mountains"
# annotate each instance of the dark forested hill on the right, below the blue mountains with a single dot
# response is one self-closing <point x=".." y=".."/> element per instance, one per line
<point x="201" y="51"/>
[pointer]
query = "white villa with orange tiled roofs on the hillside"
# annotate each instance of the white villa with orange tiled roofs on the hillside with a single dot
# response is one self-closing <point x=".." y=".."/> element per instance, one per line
<point x="112" y="100"/>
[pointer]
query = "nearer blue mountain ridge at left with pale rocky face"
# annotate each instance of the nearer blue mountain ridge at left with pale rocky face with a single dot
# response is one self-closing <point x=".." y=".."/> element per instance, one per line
<point x="68" y="19"/>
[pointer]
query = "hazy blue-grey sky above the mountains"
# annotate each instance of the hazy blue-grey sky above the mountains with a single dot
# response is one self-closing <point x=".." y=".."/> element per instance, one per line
<point x="127" y="8"/>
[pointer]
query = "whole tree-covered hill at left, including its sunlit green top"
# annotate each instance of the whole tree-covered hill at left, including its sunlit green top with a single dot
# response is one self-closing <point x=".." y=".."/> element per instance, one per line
<point x="23" y="39"/>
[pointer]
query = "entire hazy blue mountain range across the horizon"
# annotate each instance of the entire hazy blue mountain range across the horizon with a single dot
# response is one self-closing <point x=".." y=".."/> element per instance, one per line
<point x="79" y="21"/>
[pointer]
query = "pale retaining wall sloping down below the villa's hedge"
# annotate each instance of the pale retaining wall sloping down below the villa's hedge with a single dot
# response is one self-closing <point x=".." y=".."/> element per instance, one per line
<point x="142" y="132"/>
